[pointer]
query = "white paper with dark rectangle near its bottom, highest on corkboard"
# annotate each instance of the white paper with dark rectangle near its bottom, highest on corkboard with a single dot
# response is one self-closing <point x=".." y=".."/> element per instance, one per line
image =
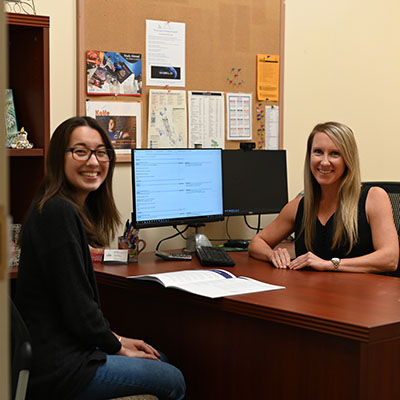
<point x="165" y="53"/>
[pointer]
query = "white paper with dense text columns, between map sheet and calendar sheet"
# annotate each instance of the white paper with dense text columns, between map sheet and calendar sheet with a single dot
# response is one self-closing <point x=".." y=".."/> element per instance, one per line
<point x="206" y="119"/>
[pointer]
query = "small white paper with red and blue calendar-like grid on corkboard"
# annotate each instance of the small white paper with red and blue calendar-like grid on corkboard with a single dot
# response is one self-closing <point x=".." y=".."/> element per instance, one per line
<point x="239" y="116"/>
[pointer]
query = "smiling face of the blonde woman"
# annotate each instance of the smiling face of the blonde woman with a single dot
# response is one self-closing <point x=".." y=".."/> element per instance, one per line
<point x="326" y="162"/>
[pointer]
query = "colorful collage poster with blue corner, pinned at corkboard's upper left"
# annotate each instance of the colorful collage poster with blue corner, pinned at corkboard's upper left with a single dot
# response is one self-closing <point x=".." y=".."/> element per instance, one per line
<point x="110" y="73"/>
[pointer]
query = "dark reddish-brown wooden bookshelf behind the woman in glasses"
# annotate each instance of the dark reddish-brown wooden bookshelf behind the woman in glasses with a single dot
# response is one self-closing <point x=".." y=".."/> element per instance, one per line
<point x="28" y="77"/>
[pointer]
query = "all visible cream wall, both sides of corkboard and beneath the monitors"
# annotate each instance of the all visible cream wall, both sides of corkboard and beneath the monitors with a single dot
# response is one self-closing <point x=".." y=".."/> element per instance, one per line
<point x="340" y="64"/>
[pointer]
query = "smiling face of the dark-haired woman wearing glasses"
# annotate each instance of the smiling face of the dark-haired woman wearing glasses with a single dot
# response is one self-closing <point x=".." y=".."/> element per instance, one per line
<point x="85" y="176"/>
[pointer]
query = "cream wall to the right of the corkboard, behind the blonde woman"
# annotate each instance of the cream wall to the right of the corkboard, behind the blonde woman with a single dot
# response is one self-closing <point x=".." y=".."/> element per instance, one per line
<point x="342" y="63"/>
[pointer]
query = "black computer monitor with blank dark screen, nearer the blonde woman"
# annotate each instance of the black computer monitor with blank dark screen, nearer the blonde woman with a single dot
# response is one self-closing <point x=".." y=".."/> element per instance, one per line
<point x="255" y="181"/>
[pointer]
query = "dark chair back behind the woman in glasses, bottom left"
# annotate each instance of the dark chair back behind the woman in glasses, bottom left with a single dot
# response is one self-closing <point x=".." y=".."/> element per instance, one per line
<point x="21" y="354"/>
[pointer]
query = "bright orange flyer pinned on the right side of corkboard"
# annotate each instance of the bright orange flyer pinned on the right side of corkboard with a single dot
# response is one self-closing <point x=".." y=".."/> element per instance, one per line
<point x="267" y="77"/>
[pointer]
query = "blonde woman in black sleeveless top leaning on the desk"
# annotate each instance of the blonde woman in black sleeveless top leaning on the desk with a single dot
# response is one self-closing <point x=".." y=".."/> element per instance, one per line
<point x="338" y="224"/>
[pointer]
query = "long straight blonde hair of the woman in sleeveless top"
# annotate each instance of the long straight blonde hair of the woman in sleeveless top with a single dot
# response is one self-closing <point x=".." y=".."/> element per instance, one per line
<point x="346" y="216"/>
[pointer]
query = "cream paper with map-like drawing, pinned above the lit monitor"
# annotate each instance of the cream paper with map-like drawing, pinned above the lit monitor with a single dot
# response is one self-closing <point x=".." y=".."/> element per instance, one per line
<point x="167" y="119"/>
